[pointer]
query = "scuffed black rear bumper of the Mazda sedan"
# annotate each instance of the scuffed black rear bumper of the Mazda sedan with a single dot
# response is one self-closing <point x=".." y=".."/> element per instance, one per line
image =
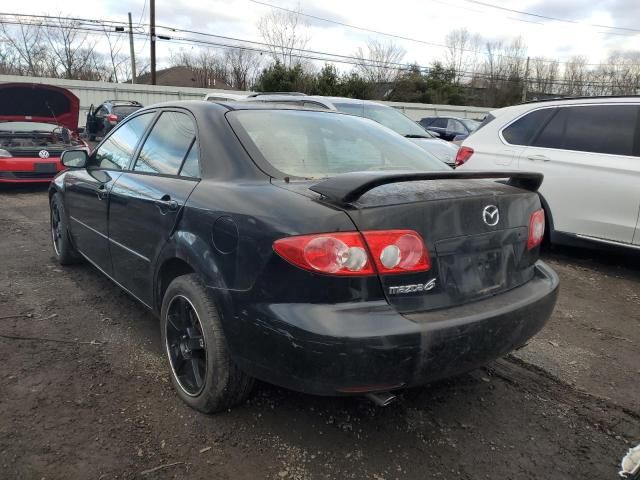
<point x="359" y="347"/>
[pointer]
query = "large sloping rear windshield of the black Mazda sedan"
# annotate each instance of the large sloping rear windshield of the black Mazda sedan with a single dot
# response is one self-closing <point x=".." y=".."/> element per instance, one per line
<point x="312" y="144"/>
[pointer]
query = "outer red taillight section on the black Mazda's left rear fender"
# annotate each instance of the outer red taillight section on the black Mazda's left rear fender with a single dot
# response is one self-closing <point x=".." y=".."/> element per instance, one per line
<point x="342" y="253"/>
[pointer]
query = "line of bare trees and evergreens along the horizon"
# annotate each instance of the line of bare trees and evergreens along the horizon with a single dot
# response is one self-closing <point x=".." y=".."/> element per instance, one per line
<point x="471" y="70"/>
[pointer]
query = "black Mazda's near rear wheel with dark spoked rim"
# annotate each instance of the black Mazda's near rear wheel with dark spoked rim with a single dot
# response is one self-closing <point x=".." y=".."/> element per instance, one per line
<point x="202" y="370"/>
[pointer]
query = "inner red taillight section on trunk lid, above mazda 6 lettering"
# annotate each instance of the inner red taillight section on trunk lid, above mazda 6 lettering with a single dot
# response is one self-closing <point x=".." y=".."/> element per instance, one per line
<point x="396" y="251"/>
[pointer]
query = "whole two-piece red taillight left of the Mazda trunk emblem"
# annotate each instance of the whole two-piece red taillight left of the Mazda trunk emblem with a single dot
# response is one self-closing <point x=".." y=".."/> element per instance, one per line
<point x="351" y="253"/>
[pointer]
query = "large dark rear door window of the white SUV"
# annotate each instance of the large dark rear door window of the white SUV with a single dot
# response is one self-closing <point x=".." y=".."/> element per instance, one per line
<point x="609" y="129"/>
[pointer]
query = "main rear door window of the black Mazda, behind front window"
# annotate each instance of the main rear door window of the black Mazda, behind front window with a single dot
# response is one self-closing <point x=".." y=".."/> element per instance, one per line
<point x="167" y="145"/>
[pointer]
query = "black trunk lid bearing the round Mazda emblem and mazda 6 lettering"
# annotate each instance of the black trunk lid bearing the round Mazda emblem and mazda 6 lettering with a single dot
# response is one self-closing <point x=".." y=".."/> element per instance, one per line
<point x="471" y="258"/>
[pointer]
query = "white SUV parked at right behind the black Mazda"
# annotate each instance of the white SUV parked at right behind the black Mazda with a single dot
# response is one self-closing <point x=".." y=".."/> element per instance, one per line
<point x="589" y="152"/>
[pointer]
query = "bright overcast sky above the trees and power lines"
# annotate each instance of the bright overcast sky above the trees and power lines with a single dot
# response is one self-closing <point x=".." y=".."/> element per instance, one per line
<point x="426" y="20"/>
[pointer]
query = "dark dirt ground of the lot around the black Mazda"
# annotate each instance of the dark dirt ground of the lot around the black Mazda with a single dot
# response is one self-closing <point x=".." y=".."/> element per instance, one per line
<point x="85" y="392"/>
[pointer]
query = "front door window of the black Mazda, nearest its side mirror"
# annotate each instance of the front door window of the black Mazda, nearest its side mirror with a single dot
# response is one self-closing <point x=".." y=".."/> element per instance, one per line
<point x="117" y="150"/>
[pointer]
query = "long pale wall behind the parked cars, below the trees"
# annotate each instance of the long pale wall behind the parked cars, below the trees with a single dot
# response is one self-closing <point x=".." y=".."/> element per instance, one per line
<point x="97" y="92"/>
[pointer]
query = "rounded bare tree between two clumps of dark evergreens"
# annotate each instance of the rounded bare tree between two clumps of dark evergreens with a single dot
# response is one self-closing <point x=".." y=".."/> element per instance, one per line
<point x="379" y="64"/>
